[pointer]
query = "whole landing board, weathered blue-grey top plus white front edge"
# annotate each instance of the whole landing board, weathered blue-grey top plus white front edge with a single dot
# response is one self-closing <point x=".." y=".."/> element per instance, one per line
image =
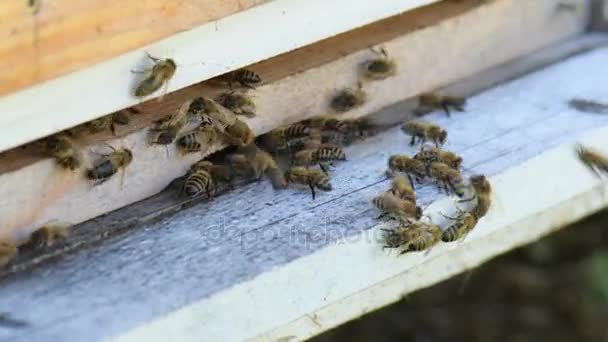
<point x="231" y="248"/>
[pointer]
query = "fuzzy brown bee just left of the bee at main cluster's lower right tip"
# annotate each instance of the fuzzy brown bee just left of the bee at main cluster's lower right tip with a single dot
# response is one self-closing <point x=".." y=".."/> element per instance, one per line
<point x="259" y="162"/>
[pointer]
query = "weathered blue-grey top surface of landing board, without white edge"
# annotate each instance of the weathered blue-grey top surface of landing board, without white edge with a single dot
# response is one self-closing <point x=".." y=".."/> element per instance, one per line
<point x="162" y="266"/>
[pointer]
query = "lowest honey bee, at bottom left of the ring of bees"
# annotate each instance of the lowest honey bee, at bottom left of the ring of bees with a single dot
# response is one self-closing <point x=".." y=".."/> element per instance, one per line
<point x="413" y="236"/>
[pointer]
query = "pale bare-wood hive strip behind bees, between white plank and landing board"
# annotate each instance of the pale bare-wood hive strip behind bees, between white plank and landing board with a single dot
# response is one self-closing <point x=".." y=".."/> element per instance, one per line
<point x="441" y="59"/>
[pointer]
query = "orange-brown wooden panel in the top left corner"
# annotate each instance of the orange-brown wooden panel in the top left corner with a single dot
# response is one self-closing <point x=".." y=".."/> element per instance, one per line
<point x="67" y="35"/>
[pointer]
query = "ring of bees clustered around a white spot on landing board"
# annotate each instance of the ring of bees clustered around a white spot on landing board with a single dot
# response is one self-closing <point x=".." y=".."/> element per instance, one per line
<point x="441" y="167"/>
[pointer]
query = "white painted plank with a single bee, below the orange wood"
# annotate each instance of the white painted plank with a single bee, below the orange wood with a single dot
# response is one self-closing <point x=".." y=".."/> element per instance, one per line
<point x="212" y="49"/>
